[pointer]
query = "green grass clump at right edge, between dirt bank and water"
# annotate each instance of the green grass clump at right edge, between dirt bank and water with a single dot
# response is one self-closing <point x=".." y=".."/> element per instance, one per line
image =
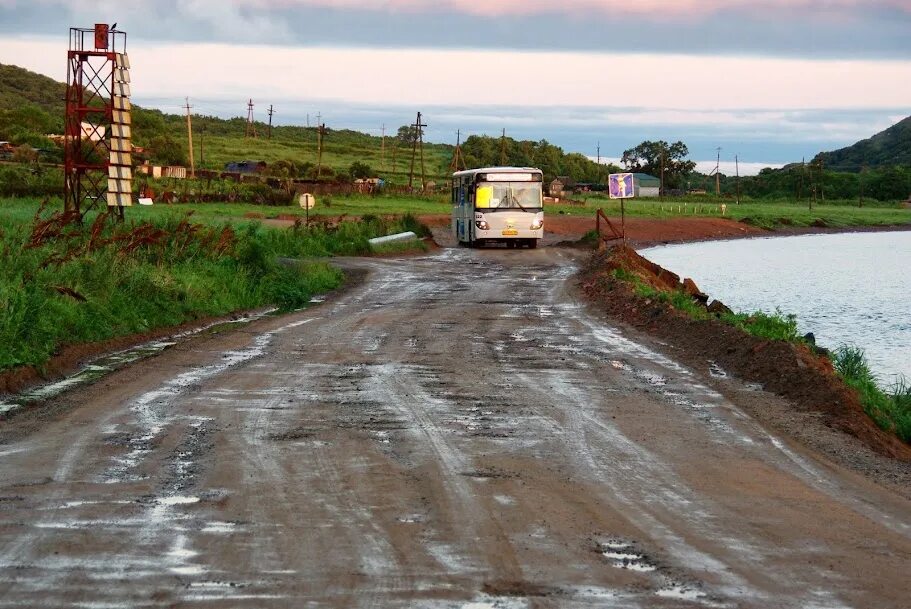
<point x="890" y="409"/>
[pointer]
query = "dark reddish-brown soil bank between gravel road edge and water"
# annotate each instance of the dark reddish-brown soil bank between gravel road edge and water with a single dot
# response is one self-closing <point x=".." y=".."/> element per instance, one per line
<point x="793" y="371"/>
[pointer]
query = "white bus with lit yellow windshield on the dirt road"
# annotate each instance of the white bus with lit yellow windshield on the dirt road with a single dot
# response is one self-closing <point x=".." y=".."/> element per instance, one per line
<point x="498" y="205"/>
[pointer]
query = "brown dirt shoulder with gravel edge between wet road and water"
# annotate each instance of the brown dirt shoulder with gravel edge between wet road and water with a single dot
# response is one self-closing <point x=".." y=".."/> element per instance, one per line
<point x="818" y="410"/>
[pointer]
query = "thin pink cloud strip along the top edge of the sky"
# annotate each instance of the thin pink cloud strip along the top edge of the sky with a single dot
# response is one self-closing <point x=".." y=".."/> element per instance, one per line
<point x="656" y="8"/>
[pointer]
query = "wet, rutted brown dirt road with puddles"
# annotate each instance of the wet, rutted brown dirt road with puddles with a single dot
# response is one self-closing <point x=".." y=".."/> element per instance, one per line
<point x="455" y="432"/>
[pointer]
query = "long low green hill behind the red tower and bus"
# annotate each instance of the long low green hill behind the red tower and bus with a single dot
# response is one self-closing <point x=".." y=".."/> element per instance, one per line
<point x="31" y="105"/>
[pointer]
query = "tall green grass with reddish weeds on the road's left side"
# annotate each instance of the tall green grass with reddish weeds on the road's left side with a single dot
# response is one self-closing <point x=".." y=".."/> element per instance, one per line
<point x="83" y="285"/>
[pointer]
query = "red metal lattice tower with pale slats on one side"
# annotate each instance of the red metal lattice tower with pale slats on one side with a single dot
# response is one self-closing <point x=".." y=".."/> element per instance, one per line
<point x="98" y="151"/>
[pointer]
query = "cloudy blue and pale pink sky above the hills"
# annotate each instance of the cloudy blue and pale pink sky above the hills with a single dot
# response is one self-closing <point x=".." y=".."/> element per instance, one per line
<point x="771" y="81"/>
